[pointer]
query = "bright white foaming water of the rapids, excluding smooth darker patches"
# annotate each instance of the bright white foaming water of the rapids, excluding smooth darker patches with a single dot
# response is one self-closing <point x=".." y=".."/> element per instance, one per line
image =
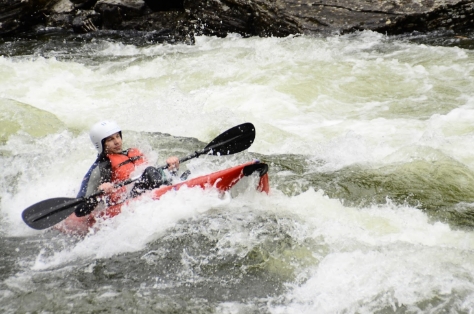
<point x="345" y="100"/>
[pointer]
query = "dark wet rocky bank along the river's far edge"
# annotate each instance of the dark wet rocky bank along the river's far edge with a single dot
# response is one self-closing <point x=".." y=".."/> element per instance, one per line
<point x="185" y="18"/>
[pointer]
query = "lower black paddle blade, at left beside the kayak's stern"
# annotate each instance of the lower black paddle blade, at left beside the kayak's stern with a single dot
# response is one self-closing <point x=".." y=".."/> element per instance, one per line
<point x="49" y="212"/>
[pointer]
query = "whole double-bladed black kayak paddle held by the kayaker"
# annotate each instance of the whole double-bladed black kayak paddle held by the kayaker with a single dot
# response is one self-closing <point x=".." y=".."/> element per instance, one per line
<point x="49" y="212"/>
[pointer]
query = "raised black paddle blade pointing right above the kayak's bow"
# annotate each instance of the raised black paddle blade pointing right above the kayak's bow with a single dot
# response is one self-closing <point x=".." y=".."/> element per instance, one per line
<point x="234" y="140"/>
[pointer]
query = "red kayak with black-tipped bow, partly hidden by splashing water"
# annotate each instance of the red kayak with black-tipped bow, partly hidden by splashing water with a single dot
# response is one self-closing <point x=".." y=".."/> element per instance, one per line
<point x="222" y="180"/>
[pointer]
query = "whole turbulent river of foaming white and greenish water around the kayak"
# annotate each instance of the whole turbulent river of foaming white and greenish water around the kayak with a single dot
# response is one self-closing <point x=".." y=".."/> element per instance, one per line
<point x="369" y="140"/>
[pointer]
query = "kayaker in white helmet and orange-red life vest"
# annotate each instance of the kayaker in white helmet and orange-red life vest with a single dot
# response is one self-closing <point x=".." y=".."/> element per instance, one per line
<point x="113" y="164"/>
